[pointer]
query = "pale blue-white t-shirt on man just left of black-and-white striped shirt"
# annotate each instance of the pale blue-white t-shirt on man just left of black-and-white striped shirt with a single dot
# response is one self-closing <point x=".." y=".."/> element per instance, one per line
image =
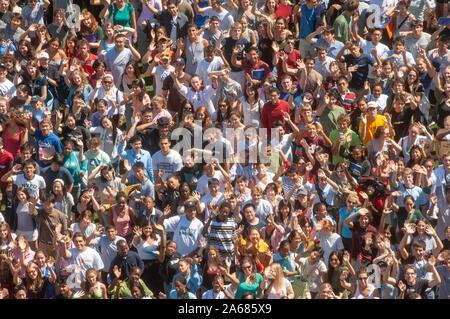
<point x="187" y="233"/>
